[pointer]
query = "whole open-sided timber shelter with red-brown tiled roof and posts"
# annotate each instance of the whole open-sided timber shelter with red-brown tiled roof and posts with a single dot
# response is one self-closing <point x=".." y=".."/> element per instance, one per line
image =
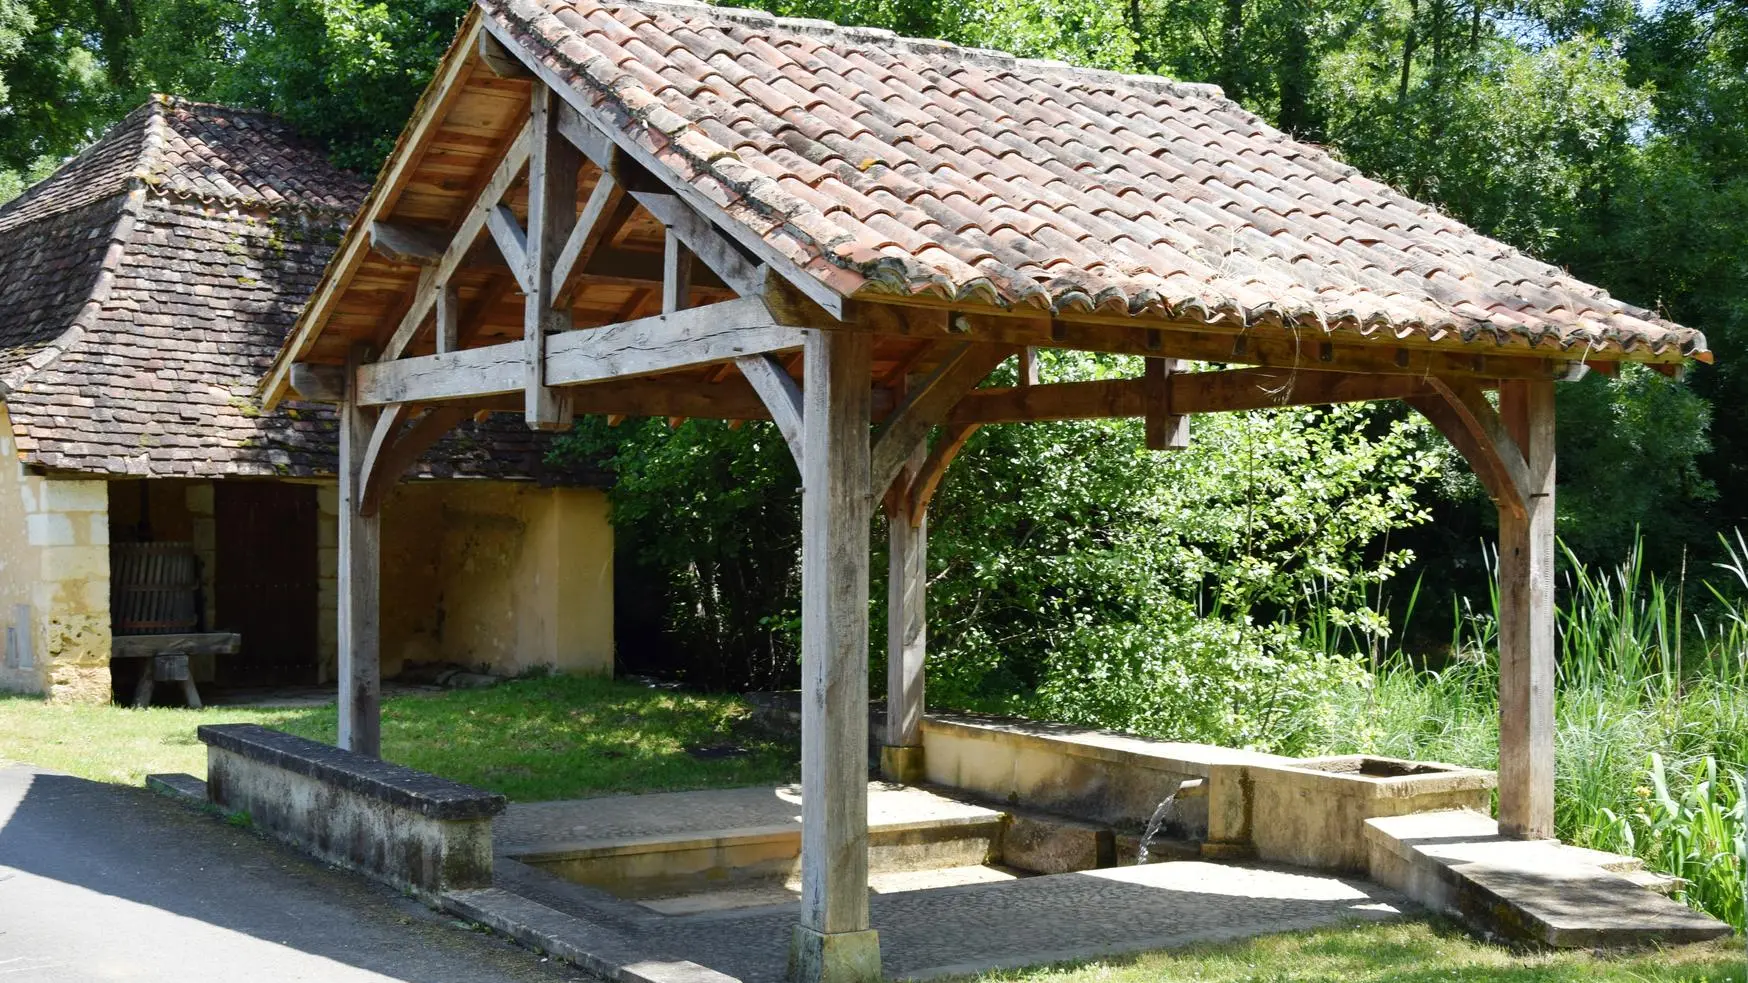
<point x="681" y="211"/>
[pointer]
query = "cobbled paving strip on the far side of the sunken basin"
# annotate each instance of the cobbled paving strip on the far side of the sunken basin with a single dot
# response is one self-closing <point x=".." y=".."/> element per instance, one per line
<point x="611" y="819"/>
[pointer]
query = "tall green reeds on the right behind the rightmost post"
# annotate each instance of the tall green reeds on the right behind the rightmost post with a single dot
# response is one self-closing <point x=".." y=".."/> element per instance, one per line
<point x="1651" y="716"/>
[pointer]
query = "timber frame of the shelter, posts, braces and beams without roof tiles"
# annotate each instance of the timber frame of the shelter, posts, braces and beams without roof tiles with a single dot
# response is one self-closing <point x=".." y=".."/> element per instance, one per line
<point x="875" y="401"/>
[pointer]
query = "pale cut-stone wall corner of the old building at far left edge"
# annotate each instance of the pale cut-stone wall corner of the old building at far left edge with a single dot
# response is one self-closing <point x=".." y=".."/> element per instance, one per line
<point x="53" y="582"/>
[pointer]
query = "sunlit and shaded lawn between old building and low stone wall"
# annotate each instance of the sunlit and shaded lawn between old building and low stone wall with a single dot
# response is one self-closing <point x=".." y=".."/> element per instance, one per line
<point x="531" y="739"/>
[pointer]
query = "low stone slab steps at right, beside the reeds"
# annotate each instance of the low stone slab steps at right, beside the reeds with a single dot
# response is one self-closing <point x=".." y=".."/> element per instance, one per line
<point x="1530" y="891"/>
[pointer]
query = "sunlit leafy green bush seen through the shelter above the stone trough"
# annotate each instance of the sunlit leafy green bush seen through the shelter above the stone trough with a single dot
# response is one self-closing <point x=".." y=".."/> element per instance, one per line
<point x="1079" y="578"/>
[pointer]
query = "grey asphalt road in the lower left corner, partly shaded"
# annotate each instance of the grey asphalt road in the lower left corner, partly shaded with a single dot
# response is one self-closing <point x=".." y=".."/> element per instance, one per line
<point x="106" y="882"/>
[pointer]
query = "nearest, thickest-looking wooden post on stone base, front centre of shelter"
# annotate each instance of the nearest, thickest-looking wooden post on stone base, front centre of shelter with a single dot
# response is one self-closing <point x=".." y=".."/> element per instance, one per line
<point x="833" y="942"/>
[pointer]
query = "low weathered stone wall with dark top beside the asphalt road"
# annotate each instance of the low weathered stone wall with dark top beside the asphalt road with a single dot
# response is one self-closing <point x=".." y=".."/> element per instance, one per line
<point x="413" y="832"/>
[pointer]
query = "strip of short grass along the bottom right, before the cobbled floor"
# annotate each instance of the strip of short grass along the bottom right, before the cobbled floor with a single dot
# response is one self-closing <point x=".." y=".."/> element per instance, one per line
<point x="1398" y="952"/>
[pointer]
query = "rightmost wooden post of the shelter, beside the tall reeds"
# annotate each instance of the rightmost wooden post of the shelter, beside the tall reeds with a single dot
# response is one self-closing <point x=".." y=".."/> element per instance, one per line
<point x="1527" y="622"/>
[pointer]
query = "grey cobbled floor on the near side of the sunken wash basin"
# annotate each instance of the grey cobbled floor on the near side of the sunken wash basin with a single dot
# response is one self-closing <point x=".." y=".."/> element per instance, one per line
<point x="973" y="928"/>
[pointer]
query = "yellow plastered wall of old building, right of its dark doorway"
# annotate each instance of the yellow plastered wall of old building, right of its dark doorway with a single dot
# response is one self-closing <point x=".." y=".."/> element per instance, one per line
<point x="490" y="575"/>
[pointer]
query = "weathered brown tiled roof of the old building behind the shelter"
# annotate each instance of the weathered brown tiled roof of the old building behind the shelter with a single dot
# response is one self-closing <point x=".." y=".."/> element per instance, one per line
<point x="148" y="284"/>
